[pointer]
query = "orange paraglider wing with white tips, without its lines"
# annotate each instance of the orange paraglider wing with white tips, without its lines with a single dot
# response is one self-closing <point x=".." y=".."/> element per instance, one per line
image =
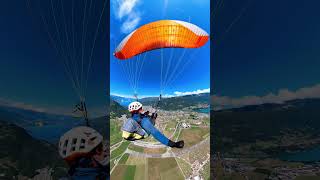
<point x="161" y="34"/>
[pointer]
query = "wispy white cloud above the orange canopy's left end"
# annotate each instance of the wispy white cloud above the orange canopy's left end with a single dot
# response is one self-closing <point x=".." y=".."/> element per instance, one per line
<point x="127" y="9"/>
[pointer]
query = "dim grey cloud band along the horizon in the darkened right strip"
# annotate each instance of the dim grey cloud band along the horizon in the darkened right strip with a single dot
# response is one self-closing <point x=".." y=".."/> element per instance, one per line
<point x="282" y="96"/>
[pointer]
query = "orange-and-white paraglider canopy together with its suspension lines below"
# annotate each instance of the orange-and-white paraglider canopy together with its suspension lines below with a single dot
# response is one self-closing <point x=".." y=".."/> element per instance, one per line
<point x="173" y="34"/>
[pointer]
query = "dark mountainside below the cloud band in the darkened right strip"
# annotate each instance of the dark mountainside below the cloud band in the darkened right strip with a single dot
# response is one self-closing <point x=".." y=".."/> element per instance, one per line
<point x="266" y="122"/>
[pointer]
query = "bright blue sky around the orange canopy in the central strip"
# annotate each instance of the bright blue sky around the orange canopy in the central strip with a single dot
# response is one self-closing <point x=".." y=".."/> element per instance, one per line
<point x="192" y="74"/>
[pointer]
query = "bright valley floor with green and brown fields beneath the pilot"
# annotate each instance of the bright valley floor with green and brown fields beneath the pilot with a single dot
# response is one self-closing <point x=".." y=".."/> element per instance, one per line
<point x="148" y="159"/>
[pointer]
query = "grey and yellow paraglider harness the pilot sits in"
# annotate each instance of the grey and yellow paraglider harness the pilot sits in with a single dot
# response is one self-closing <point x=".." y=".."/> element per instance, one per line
<point x="132" y="130"/>
